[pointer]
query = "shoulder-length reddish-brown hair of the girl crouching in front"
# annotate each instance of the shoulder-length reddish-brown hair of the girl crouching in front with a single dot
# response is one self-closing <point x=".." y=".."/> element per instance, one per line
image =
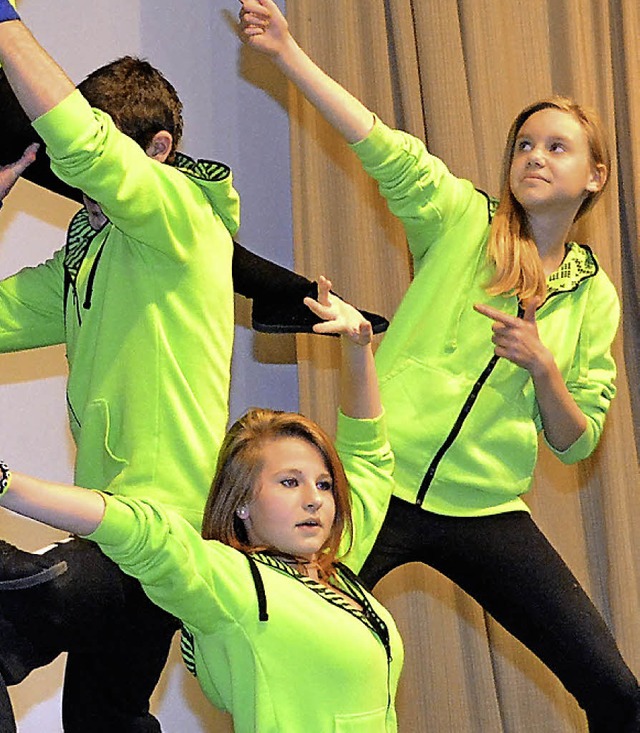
<point x="239" y="465"/>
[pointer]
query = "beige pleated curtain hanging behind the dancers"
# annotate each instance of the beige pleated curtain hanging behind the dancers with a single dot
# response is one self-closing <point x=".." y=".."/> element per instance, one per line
<point x="457" y="72"/>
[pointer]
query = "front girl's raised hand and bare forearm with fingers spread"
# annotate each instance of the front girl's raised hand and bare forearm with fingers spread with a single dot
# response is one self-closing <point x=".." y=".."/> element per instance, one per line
<point x="359" y="394"/>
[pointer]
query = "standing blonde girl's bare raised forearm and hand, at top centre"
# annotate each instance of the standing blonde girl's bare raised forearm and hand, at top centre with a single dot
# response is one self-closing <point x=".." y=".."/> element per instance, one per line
<point x="264" y="28"/>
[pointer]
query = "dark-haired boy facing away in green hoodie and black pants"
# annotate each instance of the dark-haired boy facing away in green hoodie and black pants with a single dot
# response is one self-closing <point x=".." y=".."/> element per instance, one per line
<point x="141" y="295"/>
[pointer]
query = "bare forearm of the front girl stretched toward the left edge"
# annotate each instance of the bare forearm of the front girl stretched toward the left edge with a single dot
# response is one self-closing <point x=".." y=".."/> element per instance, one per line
<point x="65" y="507"/>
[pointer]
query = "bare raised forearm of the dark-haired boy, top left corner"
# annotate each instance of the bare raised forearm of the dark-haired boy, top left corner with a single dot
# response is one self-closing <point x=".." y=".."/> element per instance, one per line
<point x="38" y="82"/>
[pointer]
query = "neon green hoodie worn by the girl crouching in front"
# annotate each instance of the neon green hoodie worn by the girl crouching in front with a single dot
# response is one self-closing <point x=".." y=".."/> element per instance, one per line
<point x="297" y="658"/>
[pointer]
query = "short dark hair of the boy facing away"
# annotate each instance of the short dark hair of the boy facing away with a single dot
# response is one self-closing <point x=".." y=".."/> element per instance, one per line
<point x="138" y="98"/>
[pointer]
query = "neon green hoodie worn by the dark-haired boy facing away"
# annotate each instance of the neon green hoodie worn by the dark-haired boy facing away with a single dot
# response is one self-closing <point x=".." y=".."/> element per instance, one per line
<point x="145" y="308"/>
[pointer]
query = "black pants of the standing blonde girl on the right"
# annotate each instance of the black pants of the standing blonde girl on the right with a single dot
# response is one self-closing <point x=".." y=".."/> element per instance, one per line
<point x="511" y="569"/>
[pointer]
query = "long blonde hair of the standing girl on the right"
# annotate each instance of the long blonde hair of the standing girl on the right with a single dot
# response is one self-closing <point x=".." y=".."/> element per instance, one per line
<point x="518" y="268"/>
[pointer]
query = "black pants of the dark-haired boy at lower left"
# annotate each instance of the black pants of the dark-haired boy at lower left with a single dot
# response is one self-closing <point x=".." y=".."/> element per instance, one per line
<point x="117" y="640"/>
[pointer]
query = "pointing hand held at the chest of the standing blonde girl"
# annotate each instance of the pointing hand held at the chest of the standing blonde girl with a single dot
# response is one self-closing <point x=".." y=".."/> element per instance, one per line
<point x="517" y="339"/>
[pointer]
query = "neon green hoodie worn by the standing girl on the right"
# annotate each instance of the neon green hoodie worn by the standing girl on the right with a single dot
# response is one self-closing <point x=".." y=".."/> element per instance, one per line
<point x="454" y="455"/>
